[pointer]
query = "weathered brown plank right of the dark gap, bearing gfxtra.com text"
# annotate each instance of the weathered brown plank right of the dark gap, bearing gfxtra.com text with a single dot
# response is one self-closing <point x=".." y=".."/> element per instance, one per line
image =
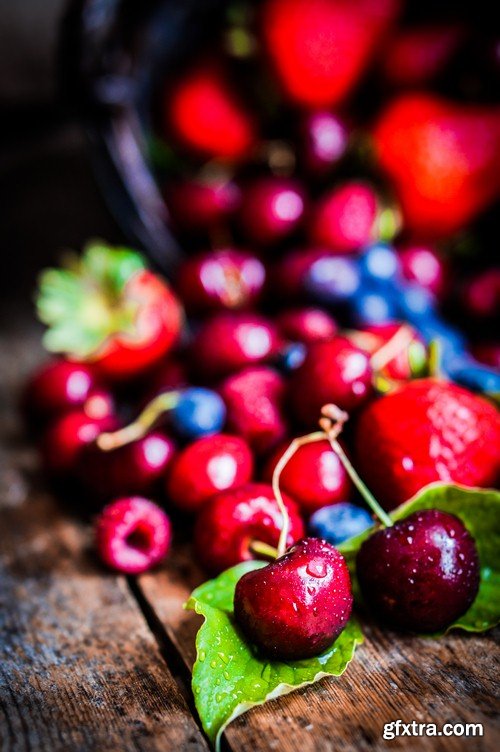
<point x="392" y="677"/>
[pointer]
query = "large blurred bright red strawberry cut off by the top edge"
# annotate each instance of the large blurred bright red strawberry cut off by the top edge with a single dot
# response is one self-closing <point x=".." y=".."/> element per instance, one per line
<point x="320" y="48"/>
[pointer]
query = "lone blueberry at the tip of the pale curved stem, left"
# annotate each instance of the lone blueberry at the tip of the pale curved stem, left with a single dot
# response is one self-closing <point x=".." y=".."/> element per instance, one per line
<point x="199" y="412"/>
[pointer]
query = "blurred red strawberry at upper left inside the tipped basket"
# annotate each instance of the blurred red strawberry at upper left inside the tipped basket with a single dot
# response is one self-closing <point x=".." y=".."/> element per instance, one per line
<point x="206" y="116"/>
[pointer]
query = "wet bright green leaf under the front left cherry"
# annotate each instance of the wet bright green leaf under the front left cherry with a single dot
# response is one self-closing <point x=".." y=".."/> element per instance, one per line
<point x="229" y="676"/>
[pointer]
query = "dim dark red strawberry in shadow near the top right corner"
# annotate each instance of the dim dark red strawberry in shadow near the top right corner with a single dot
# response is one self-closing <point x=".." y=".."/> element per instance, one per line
<point x="415" y="56"/>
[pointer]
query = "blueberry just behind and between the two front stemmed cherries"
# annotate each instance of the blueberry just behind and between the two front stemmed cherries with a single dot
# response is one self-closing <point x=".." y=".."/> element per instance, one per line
<point x="339" y="522"/>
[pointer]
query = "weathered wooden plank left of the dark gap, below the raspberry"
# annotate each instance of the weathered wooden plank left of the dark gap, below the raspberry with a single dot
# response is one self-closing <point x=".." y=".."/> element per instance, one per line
<point x="79" y="667"/>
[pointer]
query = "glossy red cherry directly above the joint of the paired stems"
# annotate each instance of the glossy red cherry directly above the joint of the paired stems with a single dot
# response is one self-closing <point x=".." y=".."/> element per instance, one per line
<point x="335" y="371"/>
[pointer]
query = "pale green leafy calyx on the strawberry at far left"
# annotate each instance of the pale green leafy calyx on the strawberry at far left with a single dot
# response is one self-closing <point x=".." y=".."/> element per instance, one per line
<point x="84" y="302"/>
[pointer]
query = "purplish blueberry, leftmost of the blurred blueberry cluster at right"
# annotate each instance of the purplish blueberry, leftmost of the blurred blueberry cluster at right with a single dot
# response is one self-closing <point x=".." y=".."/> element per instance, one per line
<point x="333" y="279"/>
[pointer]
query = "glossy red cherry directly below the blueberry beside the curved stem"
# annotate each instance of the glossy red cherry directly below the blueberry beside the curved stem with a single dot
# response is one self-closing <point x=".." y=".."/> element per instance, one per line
<point x="206" y="467"/>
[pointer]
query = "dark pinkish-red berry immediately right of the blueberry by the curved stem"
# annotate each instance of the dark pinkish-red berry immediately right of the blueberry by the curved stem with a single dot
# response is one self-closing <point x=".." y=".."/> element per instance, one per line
<point x="254" y="400"/>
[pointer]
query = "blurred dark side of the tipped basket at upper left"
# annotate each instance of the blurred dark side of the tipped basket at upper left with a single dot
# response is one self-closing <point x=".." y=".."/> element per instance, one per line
<point x="114" y="54"/>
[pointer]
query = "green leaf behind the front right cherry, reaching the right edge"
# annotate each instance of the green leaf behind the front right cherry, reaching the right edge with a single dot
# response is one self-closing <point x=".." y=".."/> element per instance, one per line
<point x="479" y="510"/>
